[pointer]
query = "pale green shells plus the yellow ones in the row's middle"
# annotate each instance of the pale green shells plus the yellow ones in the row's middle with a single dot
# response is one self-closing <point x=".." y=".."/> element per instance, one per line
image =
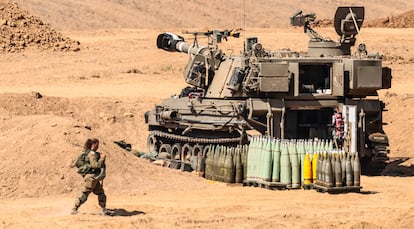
<point x="289" y="162"/>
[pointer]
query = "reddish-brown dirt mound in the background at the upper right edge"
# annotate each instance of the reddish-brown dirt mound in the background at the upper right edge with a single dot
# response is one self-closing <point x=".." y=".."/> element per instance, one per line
<point x="405" y="20"/>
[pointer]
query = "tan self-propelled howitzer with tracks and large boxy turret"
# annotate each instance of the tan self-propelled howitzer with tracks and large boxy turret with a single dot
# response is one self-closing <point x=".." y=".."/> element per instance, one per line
<point x="282" y="94"/>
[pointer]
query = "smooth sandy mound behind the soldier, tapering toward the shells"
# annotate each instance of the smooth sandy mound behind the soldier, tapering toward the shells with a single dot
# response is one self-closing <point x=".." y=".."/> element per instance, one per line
<point x="40" y="137"/>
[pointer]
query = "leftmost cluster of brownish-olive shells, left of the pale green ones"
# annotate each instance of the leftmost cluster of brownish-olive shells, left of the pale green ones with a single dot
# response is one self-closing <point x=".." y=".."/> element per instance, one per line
<point x="226" y="163"/>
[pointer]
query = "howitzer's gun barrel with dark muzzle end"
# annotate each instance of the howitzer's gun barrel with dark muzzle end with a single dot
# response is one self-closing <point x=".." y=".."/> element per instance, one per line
<point x="174" y="43"/>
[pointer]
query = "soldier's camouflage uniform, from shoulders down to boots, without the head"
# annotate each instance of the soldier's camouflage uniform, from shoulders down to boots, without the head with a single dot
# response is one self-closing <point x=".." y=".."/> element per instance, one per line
<point x="92" y="181"/>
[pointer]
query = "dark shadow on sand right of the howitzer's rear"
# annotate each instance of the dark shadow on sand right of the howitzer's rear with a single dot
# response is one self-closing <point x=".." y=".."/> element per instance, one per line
<point x="395" y="168"/>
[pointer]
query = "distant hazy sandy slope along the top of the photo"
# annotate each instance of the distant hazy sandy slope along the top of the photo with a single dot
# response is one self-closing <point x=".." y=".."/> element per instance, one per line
<point x="193" y="14"/>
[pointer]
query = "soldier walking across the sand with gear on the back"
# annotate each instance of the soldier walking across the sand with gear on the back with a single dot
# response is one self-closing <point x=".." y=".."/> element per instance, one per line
<point x="93" y="176"/>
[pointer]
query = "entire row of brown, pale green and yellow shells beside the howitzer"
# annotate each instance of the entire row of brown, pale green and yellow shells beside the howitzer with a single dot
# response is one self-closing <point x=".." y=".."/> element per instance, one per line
<point x="294" y="163"/>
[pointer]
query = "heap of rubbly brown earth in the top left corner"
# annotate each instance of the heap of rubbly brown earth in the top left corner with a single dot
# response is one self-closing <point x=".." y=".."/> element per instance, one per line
<point x="20" y="30"/>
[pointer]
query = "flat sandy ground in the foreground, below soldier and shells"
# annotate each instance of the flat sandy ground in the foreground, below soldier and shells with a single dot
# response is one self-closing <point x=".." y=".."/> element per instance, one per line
<point x="381" y="204"/>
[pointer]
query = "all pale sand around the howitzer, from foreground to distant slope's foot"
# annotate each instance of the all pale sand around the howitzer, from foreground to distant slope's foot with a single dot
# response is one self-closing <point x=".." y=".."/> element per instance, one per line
<point x="107" y="87"/>
